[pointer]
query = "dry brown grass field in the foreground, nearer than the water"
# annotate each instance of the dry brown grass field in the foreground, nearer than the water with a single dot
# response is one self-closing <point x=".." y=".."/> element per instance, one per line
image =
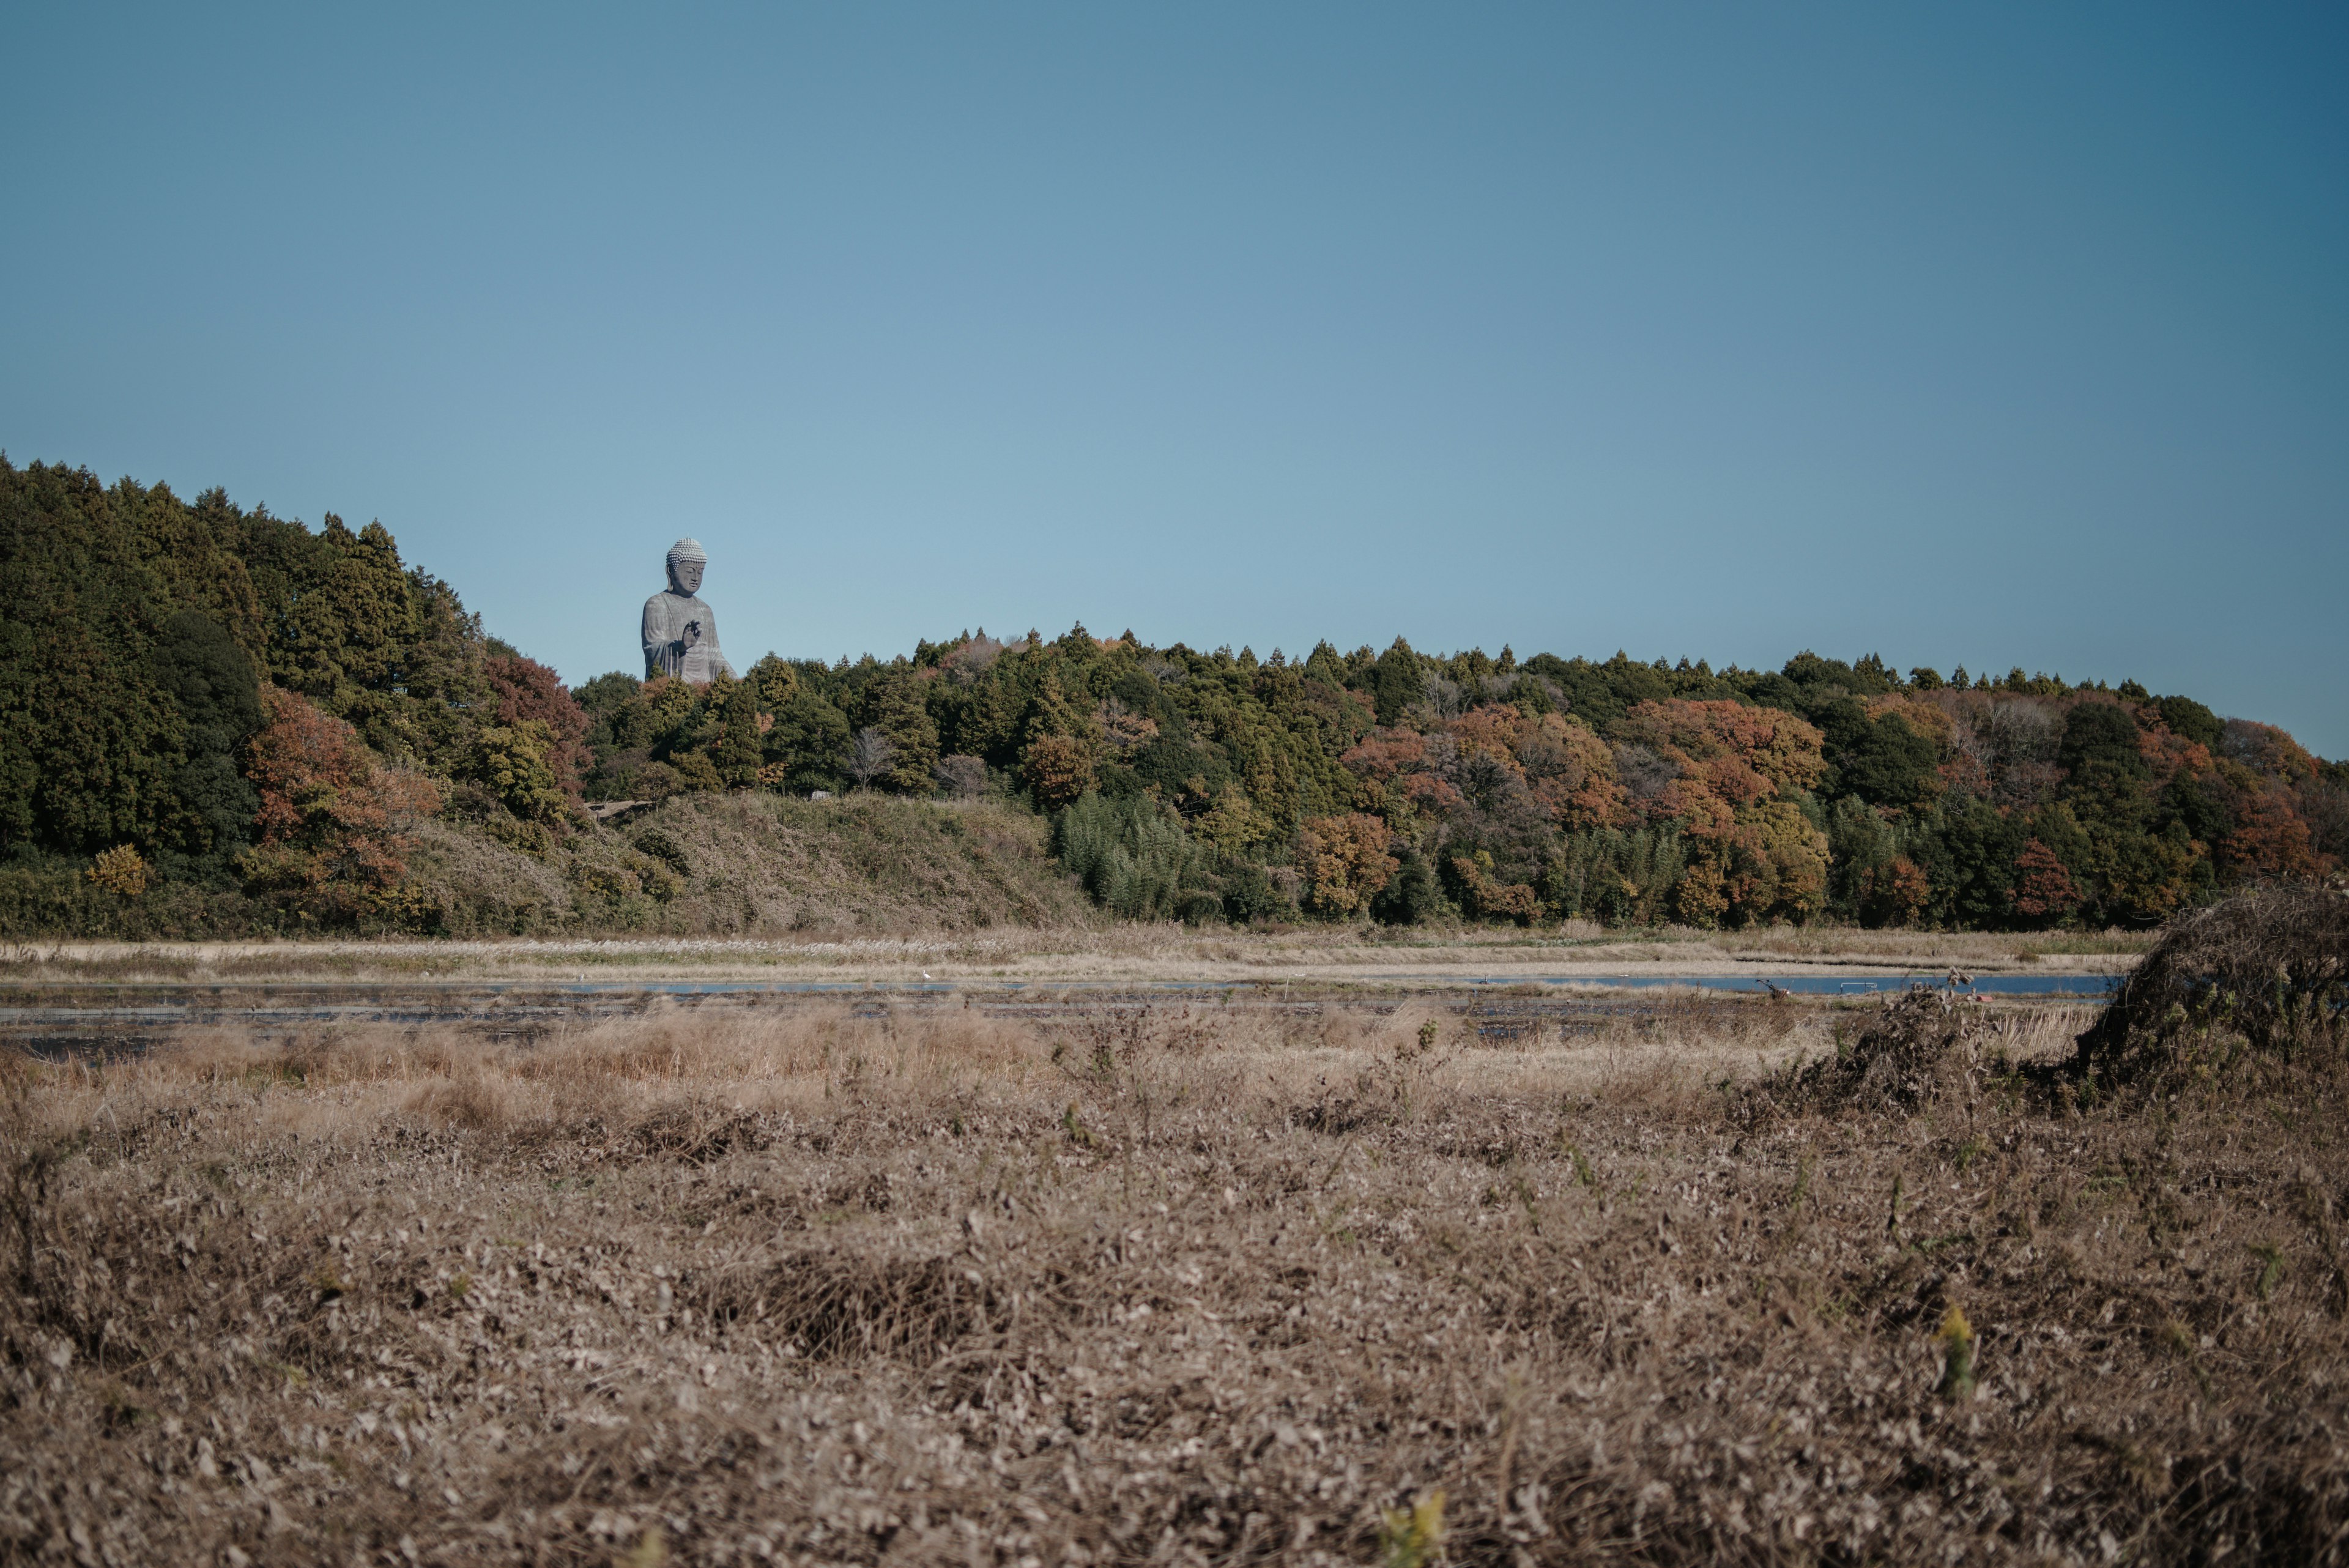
<point x="1204" y="1285"/>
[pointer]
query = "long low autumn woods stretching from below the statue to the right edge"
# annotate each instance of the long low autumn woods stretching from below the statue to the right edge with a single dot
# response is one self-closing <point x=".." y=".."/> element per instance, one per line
<point x="1406" y="786"/>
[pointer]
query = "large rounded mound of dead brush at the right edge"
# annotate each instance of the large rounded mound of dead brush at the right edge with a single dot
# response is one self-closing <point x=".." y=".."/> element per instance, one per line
<point x="2263" y="974"/>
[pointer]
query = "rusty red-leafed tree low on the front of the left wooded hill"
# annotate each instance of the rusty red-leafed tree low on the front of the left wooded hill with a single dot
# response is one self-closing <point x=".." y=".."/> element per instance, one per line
<point x="332" y="819"/>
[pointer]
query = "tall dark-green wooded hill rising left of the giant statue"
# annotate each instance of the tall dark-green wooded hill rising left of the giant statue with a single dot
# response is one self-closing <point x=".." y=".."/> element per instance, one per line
<point x="229" y="721"/>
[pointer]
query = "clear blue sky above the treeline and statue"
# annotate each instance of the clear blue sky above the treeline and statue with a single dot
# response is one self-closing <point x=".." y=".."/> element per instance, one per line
<point x="1967" y="335"/>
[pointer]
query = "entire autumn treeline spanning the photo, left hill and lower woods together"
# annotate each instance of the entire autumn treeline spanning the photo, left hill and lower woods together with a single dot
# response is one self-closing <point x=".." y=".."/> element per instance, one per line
<point x="224" y="713"/>
